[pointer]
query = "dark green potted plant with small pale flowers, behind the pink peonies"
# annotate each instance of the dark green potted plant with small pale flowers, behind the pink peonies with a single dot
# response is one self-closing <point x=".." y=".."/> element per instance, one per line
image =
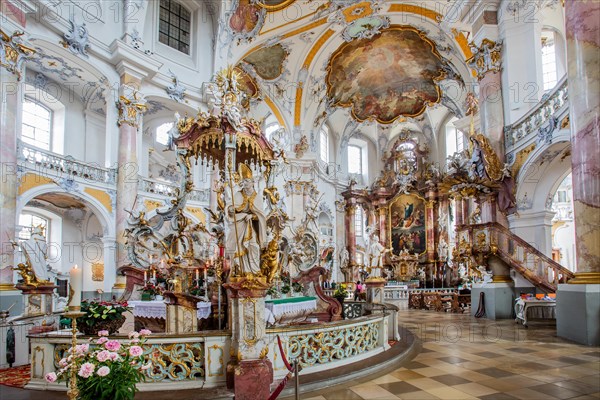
<point x="101" y="315"/>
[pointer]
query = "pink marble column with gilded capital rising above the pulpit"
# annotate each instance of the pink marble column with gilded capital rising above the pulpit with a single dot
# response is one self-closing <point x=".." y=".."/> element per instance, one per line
<point x="487" y="62"/>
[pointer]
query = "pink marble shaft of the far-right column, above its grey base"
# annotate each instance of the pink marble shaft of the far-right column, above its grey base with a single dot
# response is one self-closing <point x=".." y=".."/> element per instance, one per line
<point x="583" y="54"/>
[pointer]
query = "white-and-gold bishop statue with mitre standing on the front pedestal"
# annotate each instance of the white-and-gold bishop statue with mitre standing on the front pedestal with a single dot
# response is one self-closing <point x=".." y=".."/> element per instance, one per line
<point x="247" y="225"/>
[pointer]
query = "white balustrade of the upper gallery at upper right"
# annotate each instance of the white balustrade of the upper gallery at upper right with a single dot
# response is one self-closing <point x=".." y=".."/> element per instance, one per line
<point x="539" y="123"/>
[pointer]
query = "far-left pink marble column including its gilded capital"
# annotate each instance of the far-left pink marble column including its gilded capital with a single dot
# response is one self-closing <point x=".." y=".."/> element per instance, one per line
<point x="13" y="53"/>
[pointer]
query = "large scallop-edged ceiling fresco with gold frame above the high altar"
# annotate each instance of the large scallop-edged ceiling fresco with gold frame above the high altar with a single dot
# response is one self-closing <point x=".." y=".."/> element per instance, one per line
<point x="391" y="75"/>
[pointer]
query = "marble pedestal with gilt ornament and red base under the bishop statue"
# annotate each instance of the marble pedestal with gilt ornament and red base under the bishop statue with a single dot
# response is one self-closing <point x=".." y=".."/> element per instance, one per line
<point x="249" y="372"/>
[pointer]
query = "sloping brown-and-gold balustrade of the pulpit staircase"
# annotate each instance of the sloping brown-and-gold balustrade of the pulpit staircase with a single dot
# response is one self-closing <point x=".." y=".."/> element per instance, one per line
<point x="535" y="266"/>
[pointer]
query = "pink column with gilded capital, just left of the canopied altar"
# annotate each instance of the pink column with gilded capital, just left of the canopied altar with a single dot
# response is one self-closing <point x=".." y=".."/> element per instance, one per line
<point x="131" y="106"/>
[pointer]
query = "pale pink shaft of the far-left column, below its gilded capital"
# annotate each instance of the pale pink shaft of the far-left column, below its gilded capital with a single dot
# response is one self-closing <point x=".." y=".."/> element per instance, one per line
<point x="9" y="108"/>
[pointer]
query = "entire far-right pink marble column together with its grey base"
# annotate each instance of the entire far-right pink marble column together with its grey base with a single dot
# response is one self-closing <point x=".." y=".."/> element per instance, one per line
<point x="578" y="302"/>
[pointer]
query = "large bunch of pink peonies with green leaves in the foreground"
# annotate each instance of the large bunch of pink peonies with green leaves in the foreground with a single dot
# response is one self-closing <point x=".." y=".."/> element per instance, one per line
<point x="106" y="369"/>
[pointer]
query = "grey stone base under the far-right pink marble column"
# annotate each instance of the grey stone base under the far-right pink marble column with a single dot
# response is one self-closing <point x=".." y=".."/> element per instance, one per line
<point x="577" y="310"/>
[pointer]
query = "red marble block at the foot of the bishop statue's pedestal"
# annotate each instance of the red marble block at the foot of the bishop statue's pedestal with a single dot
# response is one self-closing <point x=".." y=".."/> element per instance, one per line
<point x="252" y="379"/>
